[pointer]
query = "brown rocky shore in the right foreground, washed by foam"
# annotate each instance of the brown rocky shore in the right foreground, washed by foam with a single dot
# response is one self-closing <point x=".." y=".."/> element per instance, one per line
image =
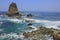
<point x="42" y="32"/>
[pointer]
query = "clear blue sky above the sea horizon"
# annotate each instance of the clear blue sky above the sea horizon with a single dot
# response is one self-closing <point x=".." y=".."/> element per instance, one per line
<point x="32" y="5"/>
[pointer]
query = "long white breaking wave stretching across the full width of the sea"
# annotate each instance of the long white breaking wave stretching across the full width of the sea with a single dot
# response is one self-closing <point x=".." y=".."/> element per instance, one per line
<point x="46" y="23"/>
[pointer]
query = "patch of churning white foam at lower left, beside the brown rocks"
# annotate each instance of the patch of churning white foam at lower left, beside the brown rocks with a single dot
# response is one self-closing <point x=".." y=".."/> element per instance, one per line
<point x="11" y="35"/>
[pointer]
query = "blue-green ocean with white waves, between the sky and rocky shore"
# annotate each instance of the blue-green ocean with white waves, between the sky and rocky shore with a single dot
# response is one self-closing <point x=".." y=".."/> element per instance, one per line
<point x="12" y="27"/>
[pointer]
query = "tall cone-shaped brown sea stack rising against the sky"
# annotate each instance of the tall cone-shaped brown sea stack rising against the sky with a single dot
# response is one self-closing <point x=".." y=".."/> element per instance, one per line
<point x="13" y="10"/>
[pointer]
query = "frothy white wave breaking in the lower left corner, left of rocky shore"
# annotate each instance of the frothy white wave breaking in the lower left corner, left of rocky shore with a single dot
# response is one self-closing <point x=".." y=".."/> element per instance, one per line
<point x="11" y="36"/>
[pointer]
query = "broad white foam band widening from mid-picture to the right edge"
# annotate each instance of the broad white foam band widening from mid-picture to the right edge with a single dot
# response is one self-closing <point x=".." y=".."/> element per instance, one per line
<point x="46" y="23"/>
